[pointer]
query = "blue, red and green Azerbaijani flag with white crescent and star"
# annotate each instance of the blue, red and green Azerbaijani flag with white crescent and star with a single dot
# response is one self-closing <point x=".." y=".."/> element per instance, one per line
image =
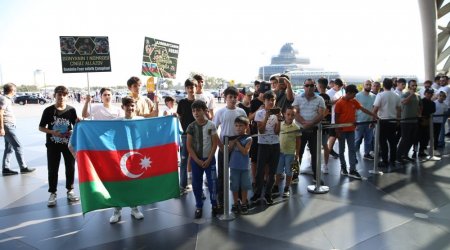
<point x="124" y="163"/>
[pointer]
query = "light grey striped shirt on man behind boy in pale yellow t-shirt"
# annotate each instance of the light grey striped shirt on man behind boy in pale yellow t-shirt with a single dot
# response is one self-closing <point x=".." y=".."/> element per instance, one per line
<point x="308" y="108"/>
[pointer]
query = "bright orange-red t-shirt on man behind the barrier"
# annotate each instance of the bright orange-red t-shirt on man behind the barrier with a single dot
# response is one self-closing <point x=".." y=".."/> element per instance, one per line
<point x="346" y="109"/>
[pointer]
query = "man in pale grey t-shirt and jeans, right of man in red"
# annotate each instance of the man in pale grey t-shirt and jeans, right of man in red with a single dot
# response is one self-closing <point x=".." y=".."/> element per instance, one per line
<point x="365" y="131"/>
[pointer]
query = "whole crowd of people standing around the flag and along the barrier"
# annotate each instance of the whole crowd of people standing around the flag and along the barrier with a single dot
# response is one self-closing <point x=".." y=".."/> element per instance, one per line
<point x="267" y="132"/>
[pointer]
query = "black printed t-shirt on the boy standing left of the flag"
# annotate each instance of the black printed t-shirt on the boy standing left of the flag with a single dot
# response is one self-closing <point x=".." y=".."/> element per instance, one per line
<point x="59" y="120"/>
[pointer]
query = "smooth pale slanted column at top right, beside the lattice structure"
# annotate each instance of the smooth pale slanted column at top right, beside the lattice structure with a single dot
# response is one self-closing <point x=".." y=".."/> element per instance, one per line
<point x="428" y="15"/>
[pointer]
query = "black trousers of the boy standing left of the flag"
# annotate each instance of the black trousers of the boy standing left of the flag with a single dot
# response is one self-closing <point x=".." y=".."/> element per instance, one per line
<point x="53" y="159"/>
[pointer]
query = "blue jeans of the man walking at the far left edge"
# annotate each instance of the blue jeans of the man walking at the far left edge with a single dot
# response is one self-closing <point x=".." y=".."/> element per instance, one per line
<point x="12" y="142"/>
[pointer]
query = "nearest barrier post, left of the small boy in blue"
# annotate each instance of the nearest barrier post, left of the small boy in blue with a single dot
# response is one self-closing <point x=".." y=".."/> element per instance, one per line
<point x="227" y="215"/>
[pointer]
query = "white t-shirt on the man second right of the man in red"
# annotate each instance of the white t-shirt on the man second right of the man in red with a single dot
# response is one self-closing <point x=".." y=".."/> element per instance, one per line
<point x="387" y="103"/>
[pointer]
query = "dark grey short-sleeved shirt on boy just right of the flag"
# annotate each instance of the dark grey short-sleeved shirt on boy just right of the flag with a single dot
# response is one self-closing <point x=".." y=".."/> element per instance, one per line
<point x="202" y="137"/>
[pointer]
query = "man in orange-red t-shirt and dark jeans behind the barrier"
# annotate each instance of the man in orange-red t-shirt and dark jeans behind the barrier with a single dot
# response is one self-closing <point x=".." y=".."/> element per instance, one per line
<point x="345" y="113"/>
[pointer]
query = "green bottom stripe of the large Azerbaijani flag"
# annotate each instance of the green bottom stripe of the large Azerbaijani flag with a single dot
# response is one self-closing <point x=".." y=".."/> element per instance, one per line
<point x="98" y="195"/>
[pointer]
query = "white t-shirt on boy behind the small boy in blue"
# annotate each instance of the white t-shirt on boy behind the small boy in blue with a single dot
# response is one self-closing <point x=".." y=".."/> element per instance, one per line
<point x="224" y="118"/>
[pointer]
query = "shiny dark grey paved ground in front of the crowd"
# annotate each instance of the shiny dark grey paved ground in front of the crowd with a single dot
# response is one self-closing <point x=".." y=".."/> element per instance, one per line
<point x="406" y="208"/>
